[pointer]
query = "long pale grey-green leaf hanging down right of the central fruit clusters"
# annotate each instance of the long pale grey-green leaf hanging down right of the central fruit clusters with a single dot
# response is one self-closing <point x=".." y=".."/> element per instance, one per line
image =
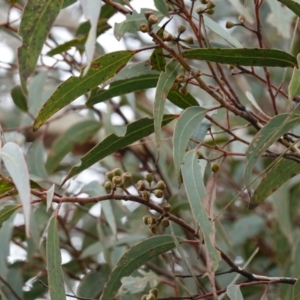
<point x="195" y="191"/>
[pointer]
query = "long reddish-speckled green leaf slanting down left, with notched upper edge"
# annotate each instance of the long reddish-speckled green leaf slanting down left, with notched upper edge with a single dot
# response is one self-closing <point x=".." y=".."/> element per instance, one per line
<point x="100" y="70"/>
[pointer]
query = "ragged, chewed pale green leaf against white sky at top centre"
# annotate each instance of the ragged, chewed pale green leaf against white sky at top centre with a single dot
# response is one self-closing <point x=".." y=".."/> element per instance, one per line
<point x="133" y="22"/>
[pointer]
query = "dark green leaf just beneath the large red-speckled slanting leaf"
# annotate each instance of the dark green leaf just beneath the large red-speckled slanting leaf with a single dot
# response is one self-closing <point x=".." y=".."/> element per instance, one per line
<point x="123" y="87"/>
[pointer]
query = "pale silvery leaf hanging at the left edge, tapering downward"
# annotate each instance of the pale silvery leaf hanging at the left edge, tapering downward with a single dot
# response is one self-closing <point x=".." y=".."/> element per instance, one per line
<point x="15" y="164"/>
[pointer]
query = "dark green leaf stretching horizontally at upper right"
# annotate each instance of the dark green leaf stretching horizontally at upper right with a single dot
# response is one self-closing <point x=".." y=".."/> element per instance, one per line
<point x="244" y="57"/>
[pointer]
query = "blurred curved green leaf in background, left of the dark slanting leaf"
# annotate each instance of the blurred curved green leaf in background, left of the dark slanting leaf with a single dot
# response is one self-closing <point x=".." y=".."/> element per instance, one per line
<point x="77" y="134"/>
